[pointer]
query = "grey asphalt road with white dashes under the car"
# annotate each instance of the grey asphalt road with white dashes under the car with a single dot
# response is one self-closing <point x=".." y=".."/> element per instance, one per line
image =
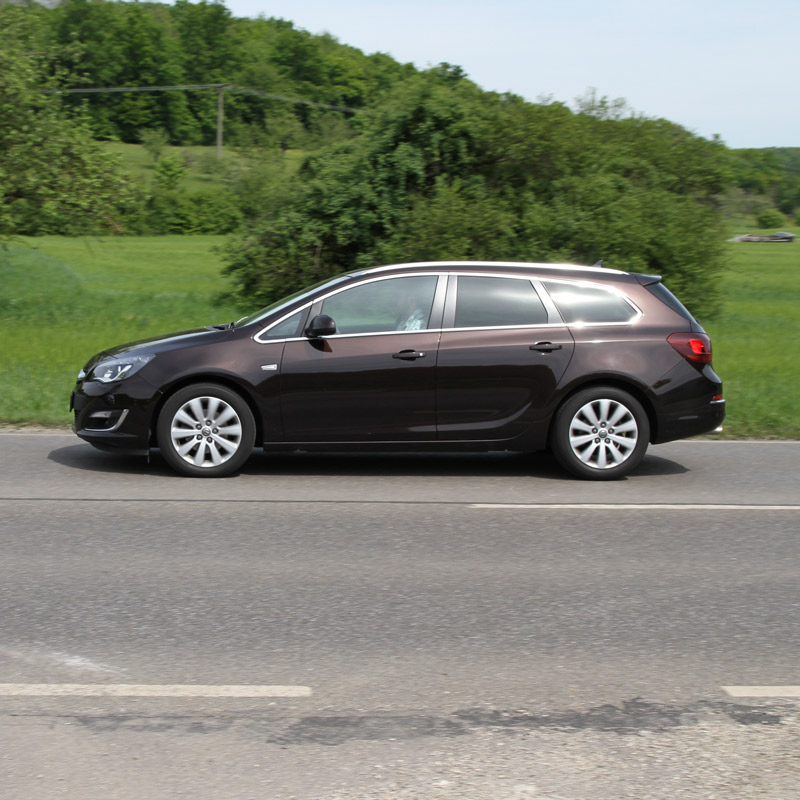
<point x="447" y="626"/>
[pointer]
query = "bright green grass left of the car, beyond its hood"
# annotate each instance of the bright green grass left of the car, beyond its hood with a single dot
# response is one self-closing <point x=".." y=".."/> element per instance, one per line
<point x="64" y="299"/>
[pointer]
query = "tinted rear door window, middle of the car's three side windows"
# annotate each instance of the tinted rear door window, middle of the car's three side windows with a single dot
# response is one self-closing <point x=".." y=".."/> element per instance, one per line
<point x="484" y="302"/>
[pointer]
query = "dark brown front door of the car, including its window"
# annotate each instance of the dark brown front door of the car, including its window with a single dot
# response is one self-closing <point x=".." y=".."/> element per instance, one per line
<point x="374" y="380"/>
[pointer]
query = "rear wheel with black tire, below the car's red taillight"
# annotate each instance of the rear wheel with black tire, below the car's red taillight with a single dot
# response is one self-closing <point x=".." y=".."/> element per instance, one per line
<point x="594" y="448"/>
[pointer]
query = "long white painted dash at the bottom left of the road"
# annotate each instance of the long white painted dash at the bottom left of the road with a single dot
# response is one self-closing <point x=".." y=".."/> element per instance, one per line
<point x="147" y="690"/>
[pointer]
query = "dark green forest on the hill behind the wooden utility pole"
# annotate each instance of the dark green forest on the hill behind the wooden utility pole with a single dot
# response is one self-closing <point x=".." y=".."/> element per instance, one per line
<point x="103" y="43"/>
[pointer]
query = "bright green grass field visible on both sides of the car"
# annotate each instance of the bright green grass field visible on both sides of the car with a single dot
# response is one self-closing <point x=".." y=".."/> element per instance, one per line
<point x="64" y="299"/>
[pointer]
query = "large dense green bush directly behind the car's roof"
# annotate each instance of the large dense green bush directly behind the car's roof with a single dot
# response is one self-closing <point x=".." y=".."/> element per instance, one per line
<point x="449" y="172"/>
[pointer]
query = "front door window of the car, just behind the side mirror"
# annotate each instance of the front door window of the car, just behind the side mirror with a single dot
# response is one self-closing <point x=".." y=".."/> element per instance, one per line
<point x="394" y="304"/>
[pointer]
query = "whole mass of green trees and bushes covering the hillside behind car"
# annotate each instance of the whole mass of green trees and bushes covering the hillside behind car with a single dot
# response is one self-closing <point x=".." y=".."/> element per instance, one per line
<point x="438" y="168"/>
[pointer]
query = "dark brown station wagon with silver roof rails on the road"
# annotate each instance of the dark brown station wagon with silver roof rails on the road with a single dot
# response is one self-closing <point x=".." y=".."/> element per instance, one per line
<point x="591" y="363"/>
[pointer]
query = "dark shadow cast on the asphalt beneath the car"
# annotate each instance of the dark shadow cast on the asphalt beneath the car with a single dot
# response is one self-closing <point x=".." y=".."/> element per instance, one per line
<point x="301" y="464"/>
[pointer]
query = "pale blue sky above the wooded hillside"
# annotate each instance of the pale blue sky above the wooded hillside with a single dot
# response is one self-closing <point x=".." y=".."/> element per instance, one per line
<point x="730" y="68"/>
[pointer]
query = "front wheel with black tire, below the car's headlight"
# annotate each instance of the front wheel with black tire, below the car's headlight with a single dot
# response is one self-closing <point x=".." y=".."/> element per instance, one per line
<point x="205" y="431"/>
